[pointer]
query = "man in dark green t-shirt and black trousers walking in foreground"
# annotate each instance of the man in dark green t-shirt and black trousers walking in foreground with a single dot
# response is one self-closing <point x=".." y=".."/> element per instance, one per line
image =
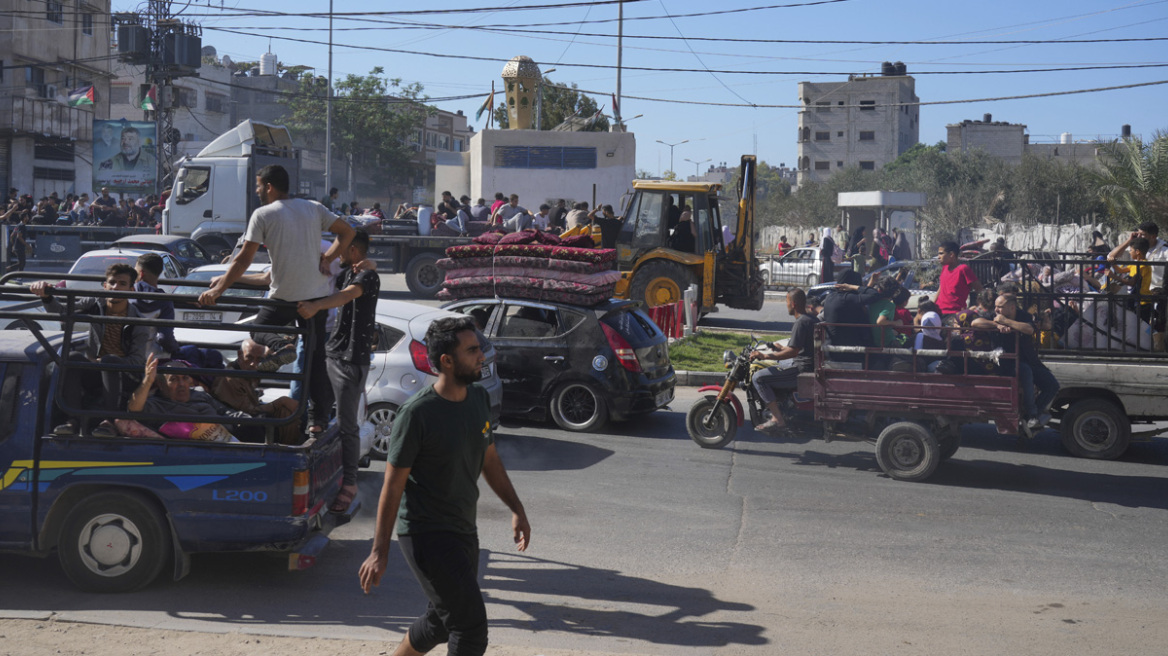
<point x="442" y="441"/>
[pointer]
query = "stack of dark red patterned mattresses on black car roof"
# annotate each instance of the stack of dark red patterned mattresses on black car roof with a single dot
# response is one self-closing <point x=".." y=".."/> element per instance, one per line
<point x="530" y="266"/>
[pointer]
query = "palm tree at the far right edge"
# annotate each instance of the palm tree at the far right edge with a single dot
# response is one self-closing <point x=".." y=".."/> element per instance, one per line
<point x="1135" y="179"/>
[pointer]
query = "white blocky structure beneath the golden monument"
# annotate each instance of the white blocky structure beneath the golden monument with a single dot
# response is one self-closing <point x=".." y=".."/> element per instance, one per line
<point x="543" y="166"/>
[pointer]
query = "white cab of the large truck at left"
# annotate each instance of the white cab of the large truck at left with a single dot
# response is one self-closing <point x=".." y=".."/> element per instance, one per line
<point x="215" y="192"/>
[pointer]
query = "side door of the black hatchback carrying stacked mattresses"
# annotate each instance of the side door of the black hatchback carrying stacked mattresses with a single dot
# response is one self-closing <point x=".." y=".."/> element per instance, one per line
<point x="531" y="353"/>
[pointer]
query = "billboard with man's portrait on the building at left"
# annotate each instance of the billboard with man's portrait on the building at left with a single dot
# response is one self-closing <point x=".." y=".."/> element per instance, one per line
<point x="126" y="159"/>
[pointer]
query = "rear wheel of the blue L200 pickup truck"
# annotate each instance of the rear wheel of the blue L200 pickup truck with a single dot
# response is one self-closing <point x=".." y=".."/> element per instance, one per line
<point x="114" y="542"/>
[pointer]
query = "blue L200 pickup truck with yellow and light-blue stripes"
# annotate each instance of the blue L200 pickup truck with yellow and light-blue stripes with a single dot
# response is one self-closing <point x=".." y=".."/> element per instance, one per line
<point x="120" y="512"/>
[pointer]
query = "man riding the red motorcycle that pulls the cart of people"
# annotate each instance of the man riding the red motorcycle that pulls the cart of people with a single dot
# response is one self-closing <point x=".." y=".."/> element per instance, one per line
<point x="801" y="348"/>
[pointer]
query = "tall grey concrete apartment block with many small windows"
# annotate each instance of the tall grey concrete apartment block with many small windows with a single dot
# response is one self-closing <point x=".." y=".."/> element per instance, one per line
<point x="866" y="123"/>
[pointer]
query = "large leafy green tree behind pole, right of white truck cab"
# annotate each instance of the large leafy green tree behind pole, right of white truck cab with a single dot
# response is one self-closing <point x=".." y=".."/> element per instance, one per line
<point x="374" y="122"/>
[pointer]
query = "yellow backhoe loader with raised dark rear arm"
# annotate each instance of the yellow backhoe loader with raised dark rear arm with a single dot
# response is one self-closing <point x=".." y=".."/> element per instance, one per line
<point x="658" y="264"/>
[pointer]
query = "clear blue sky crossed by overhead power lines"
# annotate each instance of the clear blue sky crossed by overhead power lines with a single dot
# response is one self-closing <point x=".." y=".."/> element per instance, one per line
<point x="722" y="134"/>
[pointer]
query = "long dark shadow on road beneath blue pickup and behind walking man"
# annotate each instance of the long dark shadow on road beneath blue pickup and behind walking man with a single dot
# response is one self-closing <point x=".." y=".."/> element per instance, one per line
<point x="255" y="594"/>
